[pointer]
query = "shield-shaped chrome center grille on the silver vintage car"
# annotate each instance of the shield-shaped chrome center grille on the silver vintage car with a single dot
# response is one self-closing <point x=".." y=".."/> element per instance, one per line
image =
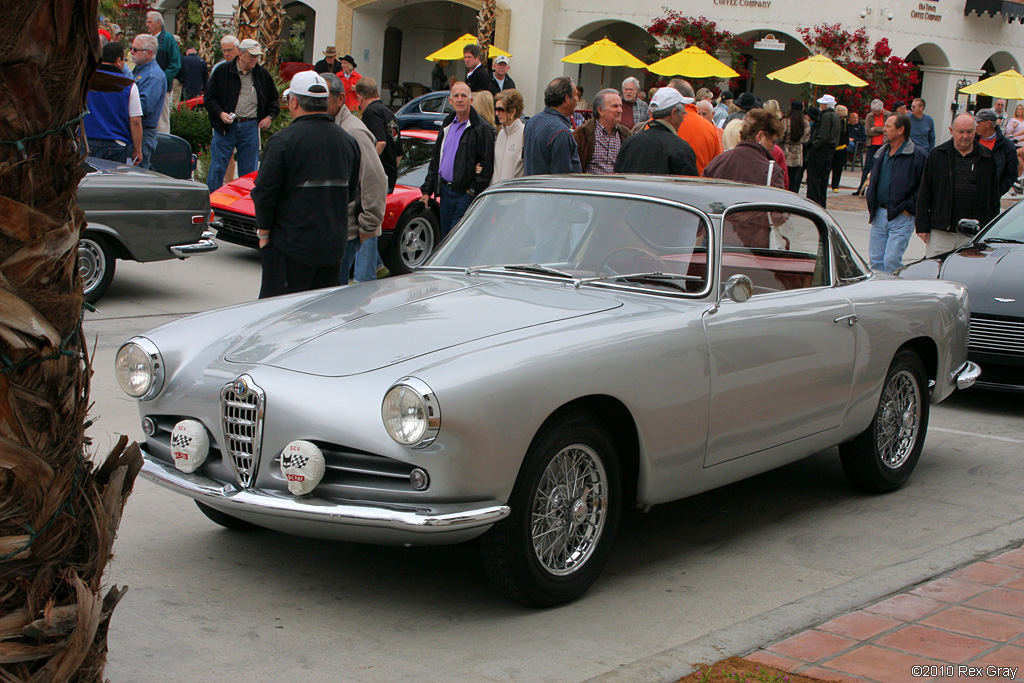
<point x="242" y="413"/>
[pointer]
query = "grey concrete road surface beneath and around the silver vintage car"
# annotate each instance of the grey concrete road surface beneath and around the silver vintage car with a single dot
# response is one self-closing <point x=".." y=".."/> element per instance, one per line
<point x="207" y="605"/>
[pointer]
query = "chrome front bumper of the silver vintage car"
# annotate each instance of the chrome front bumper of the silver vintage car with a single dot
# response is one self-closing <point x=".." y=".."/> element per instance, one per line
<point x="380" y="523"/>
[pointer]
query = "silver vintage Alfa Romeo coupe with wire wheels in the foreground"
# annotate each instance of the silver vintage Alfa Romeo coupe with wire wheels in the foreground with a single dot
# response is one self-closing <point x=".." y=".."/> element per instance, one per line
<point x="577" y="346"/>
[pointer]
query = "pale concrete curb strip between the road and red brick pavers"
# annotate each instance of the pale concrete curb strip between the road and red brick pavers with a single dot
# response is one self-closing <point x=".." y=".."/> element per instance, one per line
<point x="747" y="636"/>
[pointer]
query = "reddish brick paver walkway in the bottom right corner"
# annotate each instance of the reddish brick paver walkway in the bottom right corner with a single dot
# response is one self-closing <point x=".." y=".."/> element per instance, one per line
<point x="966" y="626"/>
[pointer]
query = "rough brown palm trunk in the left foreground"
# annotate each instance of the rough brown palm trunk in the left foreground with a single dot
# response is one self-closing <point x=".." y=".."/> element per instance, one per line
<point x="59" y="514"/>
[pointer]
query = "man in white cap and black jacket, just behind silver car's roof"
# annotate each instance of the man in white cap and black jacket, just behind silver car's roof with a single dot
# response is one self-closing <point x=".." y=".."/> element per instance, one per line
<point x="659" y="149"/>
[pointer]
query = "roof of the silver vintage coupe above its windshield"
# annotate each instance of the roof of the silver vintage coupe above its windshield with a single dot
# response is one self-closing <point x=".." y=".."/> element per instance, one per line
<point x="709" y="195"/>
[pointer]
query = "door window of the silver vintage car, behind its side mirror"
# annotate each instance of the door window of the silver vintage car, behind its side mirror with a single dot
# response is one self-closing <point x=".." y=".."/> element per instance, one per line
<point x="777" y="249"/>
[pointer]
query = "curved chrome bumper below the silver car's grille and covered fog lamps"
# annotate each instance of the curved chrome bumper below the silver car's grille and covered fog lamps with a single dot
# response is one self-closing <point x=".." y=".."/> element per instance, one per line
<point x="418" y="519"/>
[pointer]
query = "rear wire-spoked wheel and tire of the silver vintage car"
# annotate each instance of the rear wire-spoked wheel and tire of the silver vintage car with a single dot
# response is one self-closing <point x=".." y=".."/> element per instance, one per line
<point x="883" y="457"/>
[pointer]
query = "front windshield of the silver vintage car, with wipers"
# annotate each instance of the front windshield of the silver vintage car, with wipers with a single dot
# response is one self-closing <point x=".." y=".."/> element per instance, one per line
<point x="593" y="238"/>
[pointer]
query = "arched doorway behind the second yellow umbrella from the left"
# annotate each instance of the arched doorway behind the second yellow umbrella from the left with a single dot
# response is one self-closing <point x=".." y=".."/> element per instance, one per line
<point x="631" y="38"/>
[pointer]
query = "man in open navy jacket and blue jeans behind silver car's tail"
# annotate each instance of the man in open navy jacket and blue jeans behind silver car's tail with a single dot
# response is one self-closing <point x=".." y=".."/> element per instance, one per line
<point x="892" y="194"/>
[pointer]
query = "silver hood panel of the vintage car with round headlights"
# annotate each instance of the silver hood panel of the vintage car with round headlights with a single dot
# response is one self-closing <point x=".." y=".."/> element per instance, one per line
<point x="366" y="327"/>
